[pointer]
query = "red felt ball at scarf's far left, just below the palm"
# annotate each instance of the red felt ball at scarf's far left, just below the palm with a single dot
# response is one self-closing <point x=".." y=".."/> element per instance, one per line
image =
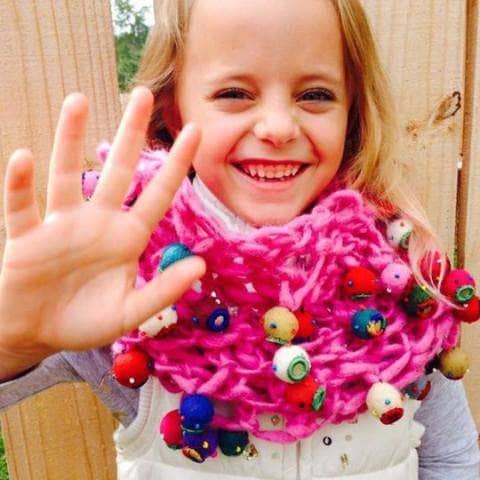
<point x="132" y="369"/>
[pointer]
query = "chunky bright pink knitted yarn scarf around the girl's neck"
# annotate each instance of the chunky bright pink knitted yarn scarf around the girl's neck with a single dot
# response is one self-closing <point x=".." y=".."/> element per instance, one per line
<point x="300" y="264"/>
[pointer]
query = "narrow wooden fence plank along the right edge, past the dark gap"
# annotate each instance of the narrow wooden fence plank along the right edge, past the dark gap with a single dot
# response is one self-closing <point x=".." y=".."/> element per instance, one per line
<point x="469" y="198"/>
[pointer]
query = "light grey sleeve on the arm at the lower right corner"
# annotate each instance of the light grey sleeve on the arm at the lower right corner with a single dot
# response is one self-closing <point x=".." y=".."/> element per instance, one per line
<point x="449" y="448"/>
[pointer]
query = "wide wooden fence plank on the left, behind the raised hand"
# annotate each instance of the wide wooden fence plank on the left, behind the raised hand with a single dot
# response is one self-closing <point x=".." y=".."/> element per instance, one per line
<point x="47" y="50"/>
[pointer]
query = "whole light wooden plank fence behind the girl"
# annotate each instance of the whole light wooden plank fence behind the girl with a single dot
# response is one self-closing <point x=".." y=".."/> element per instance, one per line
<point x="51" y="48"/>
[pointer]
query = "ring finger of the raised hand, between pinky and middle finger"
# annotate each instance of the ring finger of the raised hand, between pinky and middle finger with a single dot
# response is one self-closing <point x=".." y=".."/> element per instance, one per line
<point x="64" y="184"/>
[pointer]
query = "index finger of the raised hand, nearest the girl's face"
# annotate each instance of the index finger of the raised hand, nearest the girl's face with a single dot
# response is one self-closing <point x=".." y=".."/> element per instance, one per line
<point x="158" y="195"/>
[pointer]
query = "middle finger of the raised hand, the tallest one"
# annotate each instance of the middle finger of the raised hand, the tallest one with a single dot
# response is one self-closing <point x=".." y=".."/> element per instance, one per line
<point x="123" y="156"/>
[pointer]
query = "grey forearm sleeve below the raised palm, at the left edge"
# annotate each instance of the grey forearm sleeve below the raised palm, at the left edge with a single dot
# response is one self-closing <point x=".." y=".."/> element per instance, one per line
<point x="51" y="371"/>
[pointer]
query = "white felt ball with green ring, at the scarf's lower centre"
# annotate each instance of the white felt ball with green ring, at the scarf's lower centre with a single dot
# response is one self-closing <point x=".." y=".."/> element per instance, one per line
<point x="291" y="363"/>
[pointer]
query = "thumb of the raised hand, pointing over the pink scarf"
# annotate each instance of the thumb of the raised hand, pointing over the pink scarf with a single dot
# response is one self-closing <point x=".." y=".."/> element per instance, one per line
<point x="164" y="290"/>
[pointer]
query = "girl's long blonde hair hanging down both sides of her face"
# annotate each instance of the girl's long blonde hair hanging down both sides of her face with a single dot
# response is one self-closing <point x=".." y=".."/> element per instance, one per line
<point x="370" y="164"/>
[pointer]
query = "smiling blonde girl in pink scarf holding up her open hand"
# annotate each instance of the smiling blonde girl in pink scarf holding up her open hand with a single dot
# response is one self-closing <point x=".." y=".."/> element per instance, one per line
<point x="305" y="316"/>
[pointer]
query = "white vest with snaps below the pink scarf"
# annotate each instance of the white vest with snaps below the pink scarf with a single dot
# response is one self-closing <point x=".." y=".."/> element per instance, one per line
<point x="364" y="450"/>
